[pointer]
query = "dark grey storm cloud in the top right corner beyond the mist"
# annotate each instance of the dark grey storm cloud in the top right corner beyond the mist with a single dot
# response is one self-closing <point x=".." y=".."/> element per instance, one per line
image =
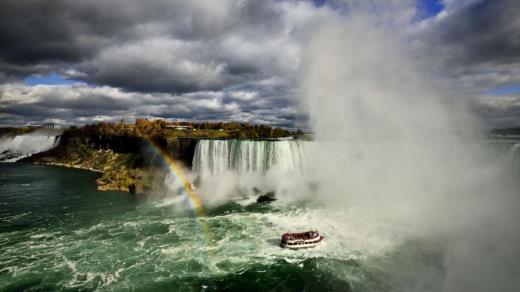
<point x="479" y="41"/>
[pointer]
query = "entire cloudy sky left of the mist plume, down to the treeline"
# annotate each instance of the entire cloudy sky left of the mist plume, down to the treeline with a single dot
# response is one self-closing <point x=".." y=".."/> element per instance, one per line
<point x="181" y="59"/>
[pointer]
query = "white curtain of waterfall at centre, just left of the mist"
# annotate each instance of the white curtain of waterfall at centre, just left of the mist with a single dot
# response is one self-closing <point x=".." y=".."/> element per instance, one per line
<point x="213" y="157"/>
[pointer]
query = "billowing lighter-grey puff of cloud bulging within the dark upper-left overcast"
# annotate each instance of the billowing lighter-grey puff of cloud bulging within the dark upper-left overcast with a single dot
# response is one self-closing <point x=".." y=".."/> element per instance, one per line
<point x="157" y="65"/>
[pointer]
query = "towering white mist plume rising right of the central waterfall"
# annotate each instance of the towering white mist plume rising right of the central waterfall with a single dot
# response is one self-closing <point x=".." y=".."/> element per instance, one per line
<point x="391" y="143"/>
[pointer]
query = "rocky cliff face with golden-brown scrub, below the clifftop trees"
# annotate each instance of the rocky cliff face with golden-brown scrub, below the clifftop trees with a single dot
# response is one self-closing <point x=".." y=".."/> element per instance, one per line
<point x="124" y="161"/>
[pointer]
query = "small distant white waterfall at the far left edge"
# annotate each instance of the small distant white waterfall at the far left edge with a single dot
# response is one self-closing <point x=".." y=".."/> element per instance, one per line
<point x="15" y="148"/>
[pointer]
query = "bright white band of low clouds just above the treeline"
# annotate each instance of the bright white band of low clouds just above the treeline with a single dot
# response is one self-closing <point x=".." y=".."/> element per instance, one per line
<point x="79" y="104"/>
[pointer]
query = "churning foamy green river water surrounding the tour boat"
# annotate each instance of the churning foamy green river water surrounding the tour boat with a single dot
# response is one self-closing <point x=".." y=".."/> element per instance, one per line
<point x="58" y="233"/>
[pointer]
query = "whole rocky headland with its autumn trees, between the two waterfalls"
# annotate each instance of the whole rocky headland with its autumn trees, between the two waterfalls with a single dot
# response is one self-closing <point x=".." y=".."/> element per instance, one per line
<point x="124" y="154"/>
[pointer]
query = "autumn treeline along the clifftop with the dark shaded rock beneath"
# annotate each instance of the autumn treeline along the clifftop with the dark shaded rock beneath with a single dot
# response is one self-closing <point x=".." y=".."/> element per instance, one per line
<point x="122" y="137"/>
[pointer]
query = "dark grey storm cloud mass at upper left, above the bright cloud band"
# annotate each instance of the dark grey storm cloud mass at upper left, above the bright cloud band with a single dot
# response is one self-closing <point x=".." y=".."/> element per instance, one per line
<point x="158" y="45"/>
